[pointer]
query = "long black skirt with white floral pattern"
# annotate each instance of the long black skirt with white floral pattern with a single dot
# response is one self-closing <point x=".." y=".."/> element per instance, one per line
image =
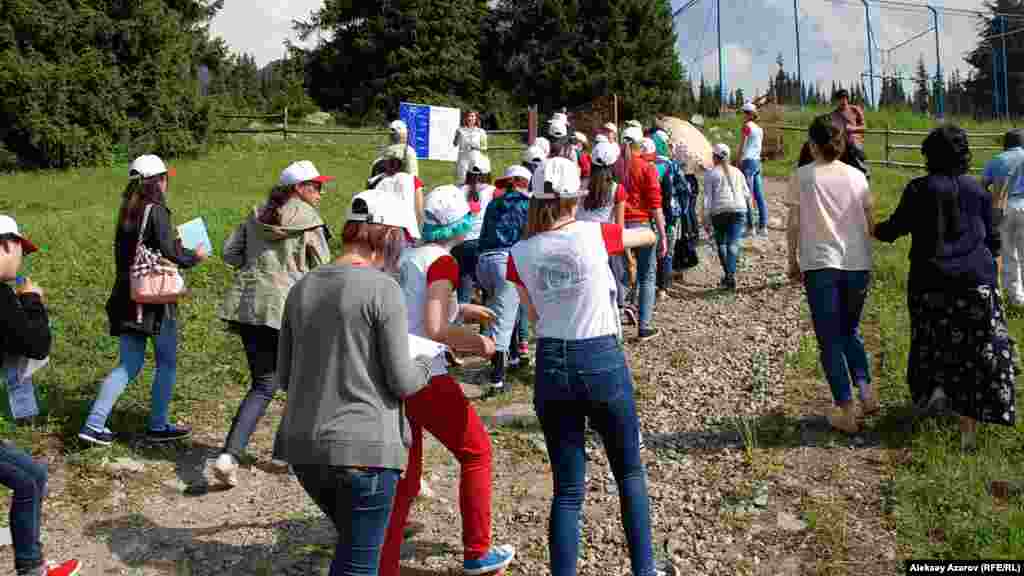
<point x="960" y="342"/>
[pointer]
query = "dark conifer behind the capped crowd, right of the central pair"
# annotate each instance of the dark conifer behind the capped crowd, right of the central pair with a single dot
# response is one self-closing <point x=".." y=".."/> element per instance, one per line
<point x="557" y="54"/>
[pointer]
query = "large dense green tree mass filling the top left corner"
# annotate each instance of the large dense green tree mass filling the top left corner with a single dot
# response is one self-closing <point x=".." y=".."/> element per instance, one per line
<point x="78" y="77"/>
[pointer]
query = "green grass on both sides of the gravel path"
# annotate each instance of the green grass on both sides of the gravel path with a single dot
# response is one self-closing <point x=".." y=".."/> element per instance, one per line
<point x="940" y="498"/>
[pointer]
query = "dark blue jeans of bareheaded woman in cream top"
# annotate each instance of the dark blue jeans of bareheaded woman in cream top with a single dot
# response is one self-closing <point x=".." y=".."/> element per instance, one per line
<point x="837" y="300"/>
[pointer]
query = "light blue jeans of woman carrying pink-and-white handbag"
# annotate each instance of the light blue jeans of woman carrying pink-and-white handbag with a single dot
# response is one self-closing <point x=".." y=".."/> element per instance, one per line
<point x="133" y="356"/>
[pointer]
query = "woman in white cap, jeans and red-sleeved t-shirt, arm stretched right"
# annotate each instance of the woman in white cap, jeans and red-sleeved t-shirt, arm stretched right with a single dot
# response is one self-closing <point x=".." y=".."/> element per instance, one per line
<point x="562" y="272"/>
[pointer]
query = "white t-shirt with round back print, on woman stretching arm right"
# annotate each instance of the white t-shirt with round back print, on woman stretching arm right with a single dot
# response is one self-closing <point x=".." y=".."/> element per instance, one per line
<point x="567" y="274"/>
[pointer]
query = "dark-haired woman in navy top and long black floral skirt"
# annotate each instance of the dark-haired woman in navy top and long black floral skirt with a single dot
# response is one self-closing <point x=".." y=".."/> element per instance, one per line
<point x="961" y="352"/>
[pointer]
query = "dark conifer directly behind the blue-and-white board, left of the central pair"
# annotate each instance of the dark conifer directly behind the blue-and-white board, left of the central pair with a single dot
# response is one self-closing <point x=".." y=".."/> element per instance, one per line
<point x="379" y="54"/>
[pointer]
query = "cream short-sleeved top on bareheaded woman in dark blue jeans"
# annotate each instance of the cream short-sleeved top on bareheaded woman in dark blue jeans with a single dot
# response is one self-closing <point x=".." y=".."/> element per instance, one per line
<point x="833" y="225"/>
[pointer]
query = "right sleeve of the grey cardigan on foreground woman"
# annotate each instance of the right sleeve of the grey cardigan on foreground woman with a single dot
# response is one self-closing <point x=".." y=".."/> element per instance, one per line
<point x="405" y="377"/>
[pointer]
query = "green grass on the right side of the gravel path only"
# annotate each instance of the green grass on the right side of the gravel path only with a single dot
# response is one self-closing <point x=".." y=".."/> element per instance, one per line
<point x="941" y="500"/>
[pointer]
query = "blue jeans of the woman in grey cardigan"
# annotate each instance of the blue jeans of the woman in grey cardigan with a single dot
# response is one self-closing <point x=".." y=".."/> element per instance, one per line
<point x="359" y="503"/>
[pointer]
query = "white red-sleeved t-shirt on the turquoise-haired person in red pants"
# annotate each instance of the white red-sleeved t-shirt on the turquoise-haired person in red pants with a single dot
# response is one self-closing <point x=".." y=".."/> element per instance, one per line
<point x="418" y="269"/>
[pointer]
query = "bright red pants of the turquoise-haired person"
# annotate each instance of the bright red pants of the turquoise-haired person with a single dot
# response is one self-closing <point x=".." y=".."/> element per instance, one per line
<point x="442" y="408"/>
